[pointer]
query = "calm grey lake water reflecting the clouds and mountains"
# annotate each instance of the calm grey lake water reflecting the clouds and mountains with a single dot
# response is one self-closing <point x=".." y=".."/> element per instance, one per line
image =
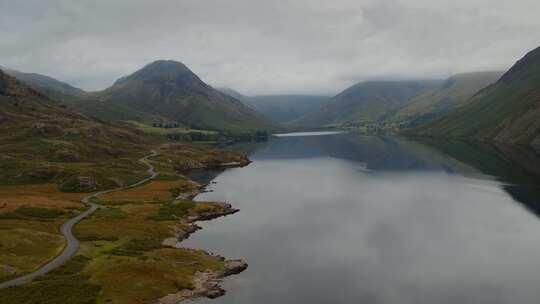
<point x="342" y="218"/>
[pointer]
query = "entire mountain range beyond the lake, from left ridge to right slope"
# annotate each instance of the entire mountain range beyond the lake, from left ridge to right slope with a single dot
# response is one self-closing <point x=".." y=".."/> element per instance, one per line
<point x="479" y="106"/>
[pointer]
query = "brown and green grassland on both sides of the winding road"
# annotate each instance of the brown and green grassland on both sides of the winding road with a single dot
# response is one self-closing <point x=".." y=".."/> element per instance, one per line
<point x="121" y="259"/>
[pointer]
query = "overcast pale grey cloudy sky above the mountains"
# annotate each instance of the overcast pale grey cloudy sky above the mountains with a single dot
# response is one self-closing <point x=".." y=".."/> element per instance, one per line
<point x="265" y="46"/>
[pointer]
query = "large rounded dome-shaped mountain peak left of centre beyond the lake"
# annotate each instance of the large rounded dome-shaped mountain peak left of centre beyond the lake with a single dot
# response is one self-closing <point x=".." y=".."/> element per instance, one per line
<point x="168" y="91"/>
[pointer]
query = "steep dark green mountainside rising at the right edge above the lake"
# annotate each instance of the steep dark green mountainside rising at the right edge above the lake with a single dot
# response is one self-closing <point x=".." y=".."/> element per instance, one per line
<point x="507" y="111"/>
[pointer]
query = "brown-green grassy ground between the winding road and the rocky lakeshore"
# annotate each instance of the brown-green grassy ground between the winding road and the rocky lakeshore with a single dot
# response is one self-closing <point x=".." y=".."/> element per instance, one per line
<point x="124" y="243"/>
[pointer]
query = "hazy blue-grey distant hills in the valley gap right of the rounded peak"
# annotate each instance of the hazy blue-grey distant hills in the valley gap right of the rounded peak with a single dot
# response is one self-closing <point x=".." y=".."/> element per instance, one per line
<point x="281" y="109"/>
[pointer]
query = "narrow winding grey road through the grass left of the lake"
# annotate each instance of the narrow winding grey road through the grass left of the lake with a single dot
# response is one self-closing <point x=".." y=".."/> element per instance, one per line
<point x="72" y="244"/>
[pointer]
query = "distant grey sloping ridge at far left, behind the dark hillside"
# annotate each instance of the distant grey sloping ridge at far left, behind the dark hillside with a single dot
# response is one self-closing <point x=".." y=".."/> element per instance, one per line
<point x="49" y="86"/>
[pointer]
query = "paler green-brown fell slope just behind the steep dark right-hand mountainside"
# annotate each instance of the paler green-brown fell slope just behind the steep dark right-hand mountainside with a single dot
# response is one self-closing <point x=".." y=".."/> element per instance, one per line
<point x="453" y="93"/>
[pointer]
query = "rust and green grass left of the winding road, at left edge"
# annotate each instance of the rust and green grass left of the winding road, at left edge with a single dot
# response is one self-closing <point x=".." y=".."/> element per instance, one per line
<point x="29" y="219"/>
